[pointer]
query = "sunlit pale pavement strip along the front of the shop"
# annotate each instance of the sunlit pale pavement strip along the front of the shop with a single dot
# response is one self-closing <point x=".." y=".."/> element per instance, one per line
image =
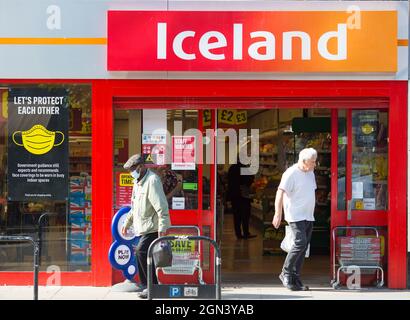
<point x="229" y="292"/>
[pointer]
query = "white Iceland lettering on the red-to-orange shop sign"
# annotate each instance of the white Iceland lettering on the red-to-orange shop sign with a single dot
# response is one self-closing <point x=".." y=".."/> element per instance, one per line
<point x="262" y="49"/>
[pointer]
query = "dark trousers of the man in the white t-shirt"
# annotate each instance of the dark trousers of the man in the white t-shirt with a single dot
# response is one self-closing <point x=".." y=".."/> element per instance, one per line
<point x="302" y="231"/>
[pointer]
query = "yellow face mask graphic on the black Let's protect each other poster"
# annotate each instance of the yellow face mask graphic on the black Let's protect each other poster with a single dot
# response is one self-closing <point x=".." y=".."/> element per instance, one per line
<point x="38" y="140"/>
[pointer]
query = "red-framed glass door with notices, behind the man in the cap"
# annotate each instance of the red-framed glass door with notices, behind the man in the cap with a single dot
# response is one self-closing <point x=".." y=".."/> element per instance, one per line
<point x="175" y="145"/>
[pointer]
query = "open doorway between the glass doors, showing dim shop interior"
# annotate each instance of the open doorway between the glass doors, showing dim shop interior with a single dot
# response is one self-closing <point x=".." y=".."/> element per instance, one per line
<point x="256" y="257"/>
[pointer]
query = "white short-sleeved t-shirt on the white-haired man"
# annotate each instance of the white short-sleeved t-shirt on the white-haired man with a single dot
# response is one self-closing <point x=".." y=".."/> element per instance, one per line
<point x="299" y="198"/>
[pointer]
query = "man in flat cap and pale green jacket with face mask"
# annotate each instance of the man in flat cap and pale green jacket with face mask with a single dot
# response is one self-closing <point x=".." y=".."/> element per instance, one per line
<point x="149" y="213"/>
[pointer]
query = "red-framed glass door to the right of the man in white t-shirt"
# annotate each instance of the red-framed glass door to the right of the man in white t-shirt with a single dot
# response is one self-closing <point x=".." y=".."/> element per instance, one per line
<point x="360" y="140"/>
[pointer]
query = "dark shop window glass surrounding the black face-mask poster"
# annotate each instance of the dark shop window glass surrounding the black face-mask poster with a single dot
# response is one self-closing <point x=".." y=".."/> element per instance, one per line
<point x="65" y="231"/>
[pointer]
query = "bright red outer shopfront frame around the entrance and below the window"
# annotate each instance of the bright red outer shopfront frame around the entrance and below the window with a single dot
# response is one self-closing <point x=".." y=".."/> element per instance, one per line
<point x="103" y="92"/>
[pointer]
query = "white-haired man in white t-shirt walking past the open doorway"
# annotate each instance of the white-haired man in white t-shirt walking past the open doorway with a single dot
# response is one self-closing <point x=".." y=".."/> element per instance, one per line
<point x="296" y="195"/>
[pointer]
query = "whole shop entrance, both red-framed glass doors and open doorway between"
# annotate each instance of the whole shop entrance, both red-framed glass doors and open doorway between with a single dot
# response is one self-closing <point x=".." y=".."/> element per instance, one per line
<point x="351" y="178"/>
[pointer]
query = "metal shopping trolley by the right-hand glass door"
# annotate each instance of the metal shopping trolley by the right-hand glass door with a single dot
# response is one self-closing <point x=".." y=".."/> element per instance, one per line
<point x="356" y="251"/>
